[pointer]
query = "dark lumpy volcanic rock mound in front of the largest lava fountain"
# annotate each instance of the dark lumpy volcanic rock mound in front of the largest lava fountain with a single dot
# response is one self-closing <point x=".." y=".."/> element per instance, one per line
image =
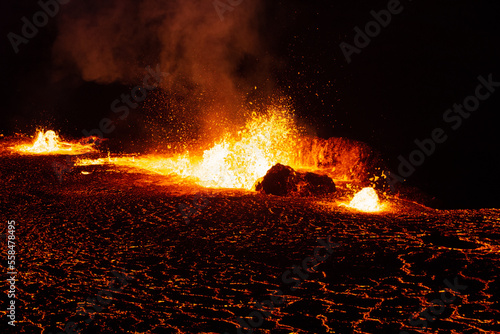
<point x="283" y="180"/>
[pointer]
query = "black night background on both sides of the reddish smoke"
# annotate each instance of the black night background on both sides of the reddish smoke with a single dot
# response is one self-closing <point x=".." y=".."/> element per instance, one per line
<point x="395" y="91"/>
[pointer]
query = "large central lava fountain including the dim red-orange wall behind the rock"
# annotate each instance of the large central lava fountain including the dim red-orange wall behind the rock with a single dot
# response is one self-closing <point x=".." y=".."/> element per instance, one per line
<point x="240" y="158"/>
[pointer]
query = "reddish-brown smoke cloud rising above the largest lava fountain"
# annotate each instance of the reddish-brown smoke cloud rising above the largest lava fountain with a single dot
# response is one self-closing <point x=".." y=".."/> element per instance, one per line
<point x="211" y="62"/>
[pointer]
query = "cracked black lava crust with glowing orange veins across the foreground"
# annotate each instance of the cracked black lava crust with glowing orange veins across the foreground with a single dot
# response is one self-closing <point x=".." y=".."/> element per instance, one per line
<point x="199" y="267"/>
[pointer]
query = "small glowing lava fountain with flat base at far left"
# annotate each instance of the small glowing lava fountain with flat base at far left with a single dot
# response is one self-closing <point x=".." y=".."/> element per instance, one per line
<point x="50" y="143"/>
